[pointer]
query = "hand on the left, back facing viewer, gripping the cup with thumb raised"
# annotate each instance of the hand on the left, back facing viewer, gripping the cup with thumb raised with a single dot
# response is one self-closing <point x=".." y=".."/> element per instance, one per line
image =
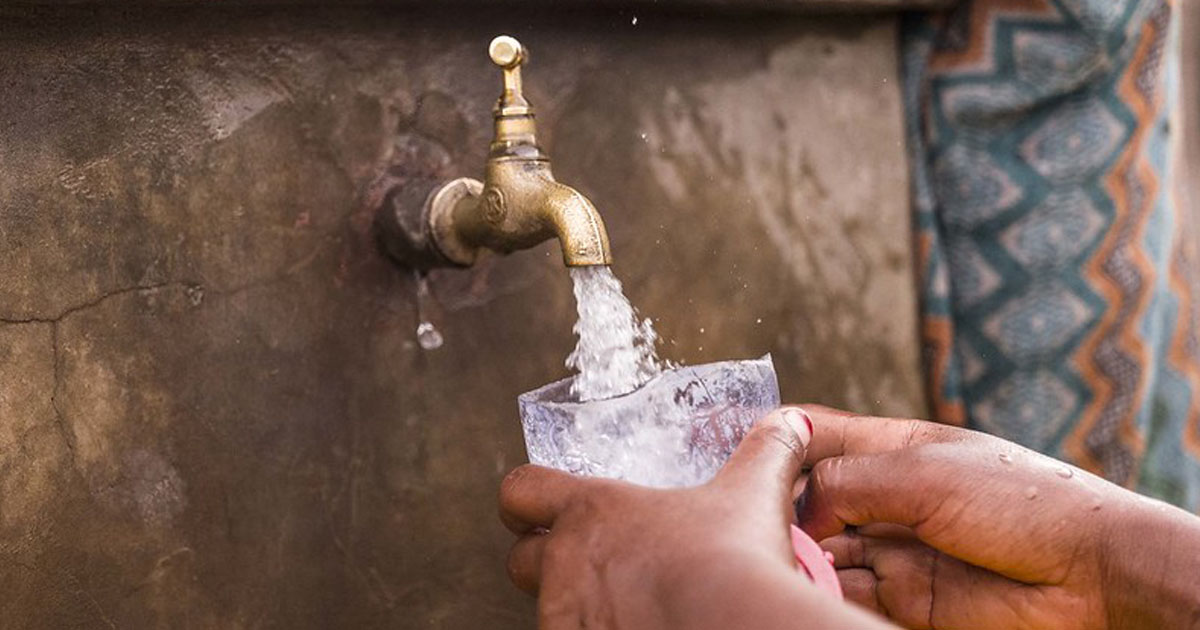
<point x="605" y="555"/>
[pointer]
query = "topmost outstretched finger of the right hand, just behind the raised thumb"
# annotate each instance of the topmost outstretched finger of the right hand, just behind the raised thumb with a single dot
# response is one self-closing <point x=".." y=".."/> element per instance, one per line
<point x="837" y="434"/>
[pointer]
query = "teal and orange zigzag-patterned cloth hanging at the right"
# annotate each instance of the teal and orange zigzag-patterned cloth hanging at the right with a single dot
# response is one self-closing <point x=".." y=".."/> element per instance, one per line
<point x="1058" y="279"/>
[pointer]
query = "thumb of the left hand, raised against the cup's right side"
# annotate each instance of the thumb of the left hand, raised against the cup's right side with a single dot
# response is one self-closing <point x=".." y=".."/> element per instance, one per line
<point x="771" y="457"/>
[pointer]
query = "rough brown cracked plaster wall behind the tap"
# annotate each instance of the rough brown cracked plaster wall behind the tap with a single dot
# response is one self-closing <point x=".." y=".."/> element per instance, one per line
<point x="213" y="409"/>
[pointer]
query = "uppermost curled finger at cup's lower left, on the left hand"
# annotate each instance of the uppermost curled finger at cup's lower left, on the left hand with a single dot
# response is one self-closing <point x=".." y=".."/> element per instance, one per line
<point x="533" y="496"/>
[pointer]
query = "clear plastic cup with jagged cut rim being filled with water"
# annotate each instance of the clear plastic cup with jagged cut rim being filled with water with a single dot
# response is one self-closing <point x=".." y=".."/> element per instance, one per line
<point x="676" y="430"/>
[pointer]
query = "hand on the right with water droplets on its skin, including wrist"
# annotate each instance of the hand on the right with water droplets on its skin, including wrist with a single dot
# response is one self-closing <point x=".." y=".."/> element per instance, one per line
<point x="961" y="530"/>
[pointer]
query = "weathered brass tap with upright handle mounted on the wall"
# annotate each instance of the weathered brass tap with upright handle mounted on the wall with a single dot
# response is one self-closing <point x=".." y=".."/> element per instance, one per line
<point x="518" y="206"/>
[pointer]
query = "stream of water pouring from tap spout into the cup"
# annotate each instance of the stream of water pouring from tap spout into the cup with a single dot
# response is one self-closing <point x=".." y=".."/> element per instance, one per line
<point x="615" y="353"/>
